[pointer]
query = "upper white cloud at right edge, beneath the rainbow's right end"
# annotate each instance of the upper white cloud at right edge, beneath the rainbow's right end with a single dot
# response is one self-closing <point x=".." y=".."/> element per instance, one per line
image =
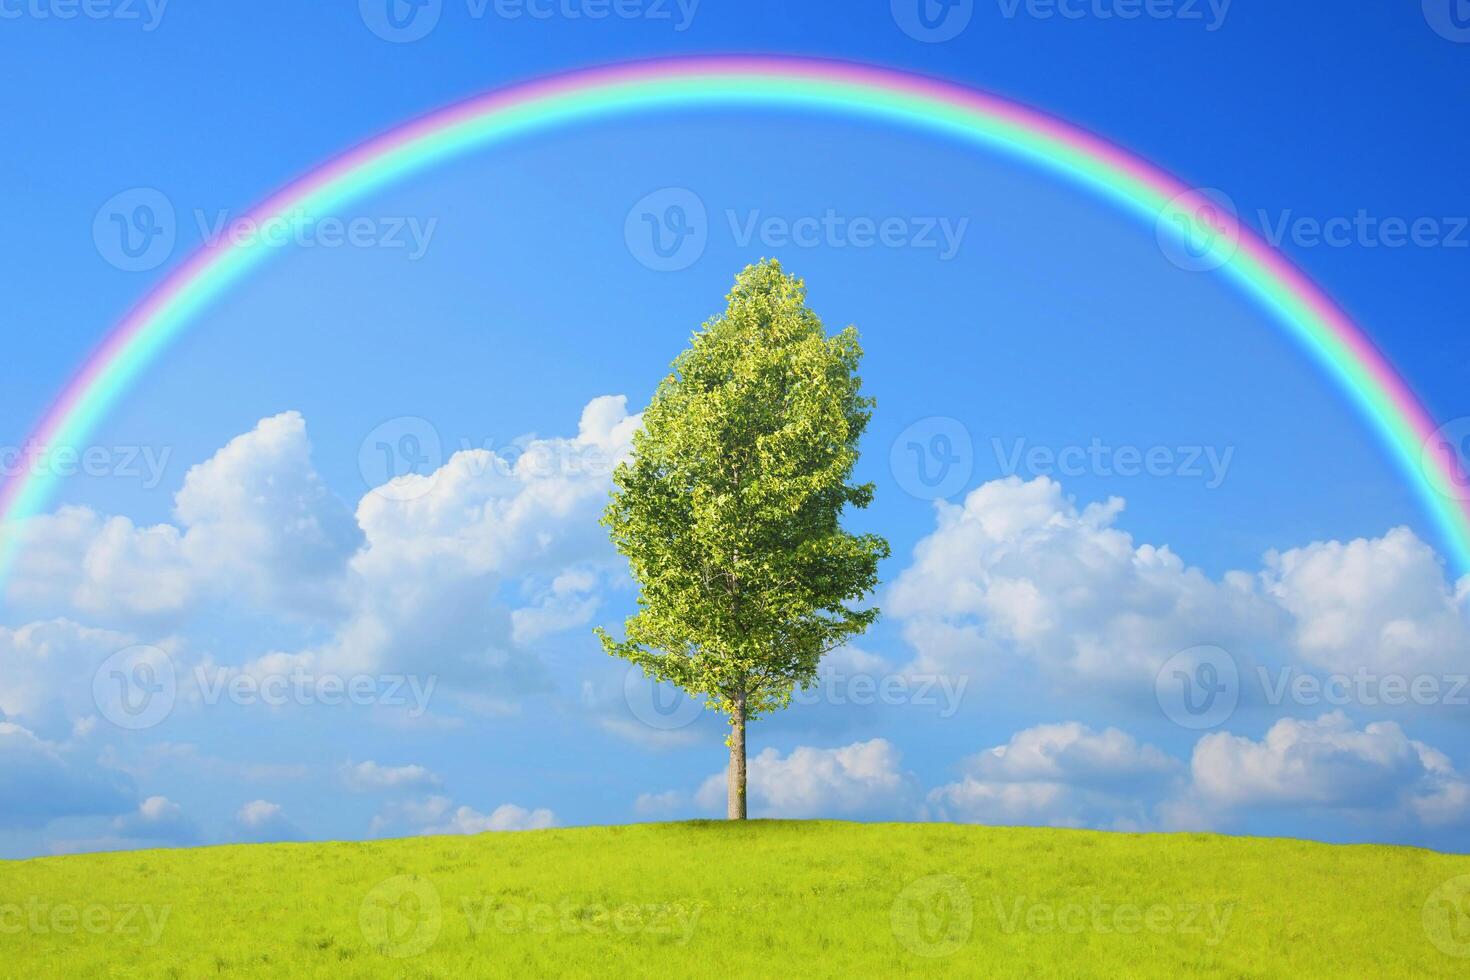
<point x="1381" y="605"/>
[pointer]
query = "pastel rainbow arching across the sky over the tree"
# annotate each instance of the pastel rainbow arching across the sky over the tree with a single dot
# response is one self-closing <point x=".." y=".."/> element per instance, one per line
<point x="753" y="83"/>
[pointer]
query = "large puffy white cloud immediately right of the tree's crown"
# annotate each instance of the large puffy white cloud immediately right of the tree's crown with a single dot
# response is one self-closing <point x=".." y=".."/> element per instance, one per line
<point x="1021" y="571"/>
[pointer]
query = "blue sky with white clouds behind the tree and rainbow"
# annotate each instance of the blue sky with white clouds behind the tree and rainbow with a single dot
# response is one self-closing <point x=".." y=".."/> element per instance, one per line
<point x="1275" y="527"/>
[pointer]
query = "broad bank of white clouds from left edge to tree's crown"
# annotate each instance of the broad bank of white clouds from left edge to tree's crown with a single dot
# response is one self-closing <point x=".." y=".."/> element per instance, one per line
<point x="458" y="575"/>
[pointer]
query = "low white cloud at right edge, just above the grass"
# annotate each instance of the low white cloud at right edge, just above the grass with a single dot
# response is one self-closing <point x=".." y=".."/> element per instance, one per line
<point x="1335" y="766"/>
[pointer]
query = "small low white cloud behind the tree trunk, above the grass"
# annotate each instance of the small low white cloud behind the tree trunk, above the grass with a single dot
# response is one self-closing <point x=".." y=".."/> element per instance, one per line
<point x="858" y="779"/>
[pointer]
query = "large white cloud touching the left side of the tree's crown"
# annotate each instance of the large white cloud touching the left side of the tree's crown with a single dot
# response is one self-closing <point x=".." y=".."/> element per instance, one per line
<point x="443" y="546"/>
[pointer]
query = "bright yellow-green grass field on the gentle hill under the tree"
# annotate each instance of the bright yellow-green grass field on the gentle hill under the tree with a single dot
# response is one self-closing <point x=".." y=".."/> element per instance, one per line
<point x="764" y="900"/>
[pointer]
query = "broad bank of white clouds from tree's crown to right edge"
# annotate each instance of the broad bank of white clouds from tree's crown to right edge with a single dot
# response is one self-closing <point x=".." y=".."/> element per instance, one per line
<point x="1021" y="574"/>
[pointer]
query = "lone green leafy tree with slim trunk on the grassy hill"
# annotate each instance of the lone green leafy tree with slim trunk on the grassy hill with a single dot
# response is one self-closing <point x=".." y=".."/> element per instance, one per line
<point x="728" y="509"/>
